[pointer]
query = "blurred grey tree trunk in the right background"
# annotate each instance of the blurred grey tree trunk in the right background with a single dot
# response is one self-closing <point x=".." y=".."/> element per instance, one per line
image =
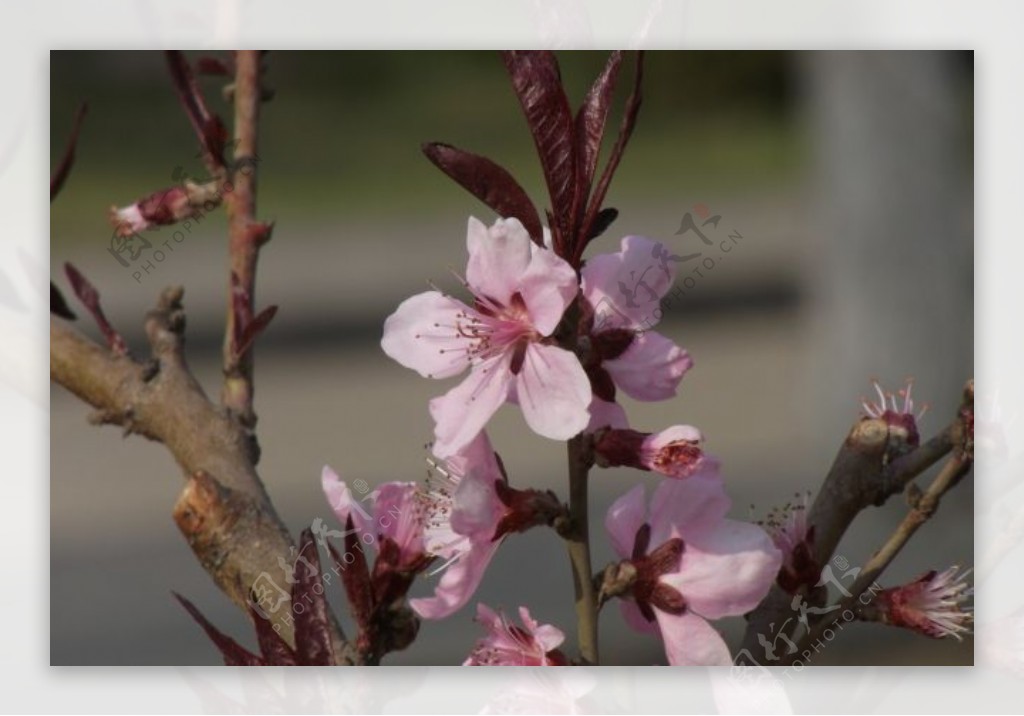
<point x="891" y="270"/>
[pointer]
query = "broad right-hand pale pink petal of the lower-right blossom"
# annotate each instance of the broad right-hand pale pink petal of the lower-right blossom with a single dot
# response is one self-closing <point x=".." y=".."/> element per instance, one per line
<point x="729" y="571"/>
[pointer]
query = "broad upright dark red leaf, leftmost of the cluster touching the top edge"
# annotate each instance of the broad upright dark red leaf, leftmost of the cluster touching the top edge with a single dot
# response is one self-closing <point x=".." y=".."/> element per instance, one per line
<point x="538" y="85"/>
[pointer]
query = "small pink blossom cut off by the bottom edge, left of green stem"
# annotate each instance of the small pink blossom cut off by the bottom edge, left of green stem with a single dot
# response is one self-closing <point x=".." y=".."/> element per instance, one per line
<point x="509" y="645"/>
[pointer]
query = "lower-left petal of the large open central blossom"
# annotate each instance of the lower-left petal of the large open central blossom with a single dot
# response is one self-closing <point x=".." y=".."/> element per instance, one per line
<point x="462" y="412"/>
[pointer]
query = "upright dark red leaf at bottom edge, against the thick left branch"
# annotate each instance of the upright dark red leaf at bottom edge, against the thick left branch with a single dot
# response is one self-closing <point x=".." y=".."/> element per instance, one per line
<point x="313" y="619"/>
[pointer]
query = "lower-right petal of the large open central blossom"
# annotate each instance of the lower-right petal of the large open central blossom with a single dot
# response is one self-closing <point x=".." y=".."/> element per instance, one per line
<point x="553" y="392"/>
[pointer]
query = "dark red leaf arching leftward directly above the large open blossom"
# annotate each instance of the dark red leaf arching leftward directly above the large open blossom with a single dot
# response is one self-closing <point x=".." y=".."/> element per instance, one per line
<point x="490" y="183"/>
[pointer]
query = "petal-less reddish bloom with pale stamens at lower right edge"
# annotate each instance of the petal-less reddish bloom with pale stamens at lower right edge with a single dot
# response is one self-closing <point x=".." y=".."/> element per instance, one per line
<point x="934" y="605"/>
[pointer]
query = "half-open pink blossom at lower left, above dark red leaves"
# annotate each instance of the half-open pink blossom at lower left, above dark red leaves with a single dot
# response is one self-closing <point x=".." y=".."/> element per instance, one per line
<point x="391" y="516"/>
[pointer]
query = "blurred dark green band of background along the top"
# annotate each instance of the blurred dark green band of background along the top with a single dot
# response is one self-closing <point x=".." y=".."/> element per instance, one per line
<point x="710" y="120"/>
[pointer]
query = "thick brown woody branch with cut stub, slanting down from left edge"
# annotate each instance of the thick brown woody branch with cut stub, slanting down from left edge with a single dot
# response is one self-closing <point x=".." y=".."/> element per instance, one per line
<point x="225" y="512"/>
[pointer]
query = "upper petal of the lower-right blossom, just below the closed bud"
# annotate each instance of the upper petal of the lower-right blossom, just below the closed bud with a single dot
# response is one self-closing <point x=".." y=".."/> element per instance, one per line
<point x="688" y="509"/>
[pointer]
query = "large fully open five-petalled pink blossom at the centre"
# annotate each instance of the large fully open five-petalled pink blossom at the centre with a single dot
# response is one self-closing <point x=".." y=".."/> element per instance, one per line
<point x="521" y="292"/>
